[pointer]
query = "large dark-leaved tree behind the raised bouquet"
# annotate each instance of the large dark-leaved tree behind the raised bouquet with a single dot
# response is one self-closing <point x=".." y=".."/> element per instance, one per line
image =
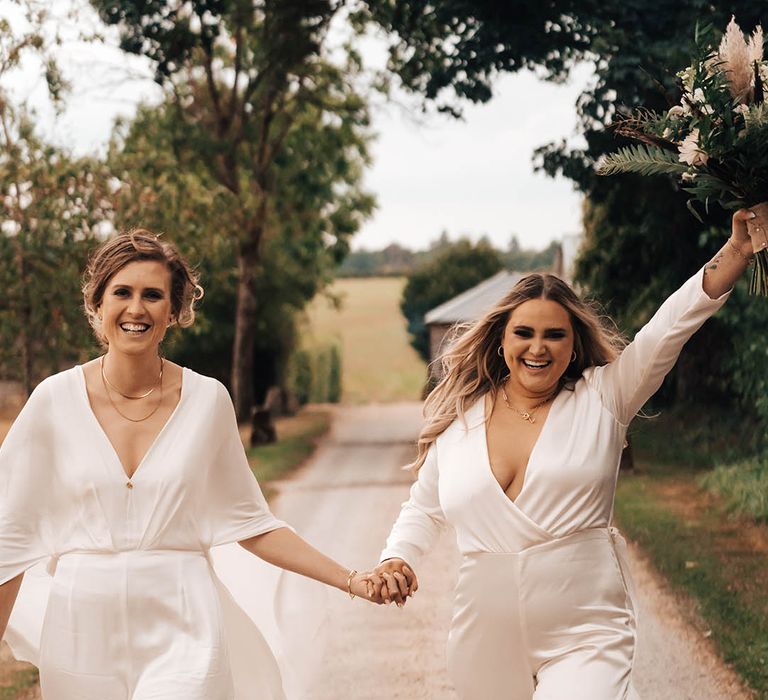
<point x="641" y="243"/>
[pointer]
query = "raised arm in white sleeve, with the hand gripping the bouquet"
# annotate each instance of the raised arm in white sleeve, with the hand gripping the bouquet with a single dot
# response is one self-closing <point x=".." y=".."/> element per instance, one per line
<point x="628" y="382"/>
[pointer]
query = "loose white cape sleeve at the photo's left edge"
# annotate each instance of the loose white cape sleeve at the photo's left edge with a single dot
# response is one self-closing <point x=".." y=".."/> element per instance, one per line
<point x="26" y="480"/>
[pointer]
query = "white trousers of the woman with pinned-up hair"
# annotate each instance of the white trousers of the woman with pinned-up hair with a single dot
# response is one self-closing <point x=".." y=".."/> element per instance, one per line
<point x="135" y="625"/>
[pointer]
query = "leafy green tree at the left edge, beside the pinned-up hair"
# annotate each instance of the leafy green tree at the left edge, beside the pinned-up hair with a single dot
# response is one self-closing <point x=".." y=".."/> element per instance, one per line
<point x="53" y="207"/>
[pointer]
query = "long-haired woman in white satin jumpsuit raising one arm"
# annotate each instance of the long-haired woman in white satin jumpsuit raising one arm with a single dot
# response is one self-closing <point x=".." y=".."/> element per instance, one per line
<point x="543" y="605"/>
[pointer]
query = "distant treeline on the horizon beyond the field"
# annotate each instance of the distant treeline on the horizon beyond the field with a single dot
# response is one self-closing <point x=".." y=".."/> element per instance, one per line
<point x="396" y="260"/>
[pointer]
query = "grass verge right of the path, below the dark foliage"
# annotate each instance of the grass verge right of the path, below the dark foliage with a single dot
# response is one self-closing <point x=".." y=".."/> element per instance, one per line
<point x="717" y="559"/>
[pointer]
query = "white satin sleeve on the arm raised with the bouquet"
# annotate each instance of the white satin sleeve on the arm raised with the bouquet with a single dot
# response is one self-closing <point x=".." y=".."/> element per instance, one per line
<point x="627" y="383"/>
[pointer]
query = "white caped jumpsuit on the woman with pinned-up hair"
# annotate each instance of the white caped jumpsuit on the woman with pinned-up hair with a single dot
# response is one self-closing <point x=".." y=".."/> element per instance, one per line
<point x="132" y="607"/>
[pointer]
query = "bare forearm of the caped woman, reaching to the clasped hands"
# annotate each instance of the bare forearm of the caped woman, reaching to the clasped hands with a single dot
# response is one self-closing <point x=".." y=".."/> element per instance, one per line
<point x="284" y="548"/>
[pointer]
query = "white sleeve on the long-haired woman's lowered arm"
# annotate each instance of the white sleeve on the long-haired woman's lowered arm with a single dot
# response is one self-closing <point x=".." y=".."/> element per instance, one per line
<point x="421" y="518"/>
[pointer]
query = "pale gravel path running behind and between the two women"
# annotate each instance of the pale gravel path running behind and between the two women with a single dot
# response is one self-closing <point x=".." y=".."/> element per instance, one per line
<point x="345" y="501"/>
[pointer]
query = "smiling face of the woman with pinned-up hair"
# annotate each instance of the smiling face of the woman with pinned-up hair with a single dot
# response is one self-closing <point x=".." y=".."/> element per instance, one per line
<point x="135" y="310"/>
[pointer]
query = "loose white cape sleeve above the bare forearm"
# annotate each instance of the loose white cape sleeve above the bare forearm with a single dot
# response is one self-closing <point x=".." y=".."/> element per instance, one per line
<point x="233" y="504"/>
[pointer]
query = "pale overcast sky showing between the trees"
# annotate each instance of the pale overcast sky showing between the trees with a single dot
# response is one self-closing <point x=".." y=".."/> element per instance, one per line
<point x="471" y="177"/>
